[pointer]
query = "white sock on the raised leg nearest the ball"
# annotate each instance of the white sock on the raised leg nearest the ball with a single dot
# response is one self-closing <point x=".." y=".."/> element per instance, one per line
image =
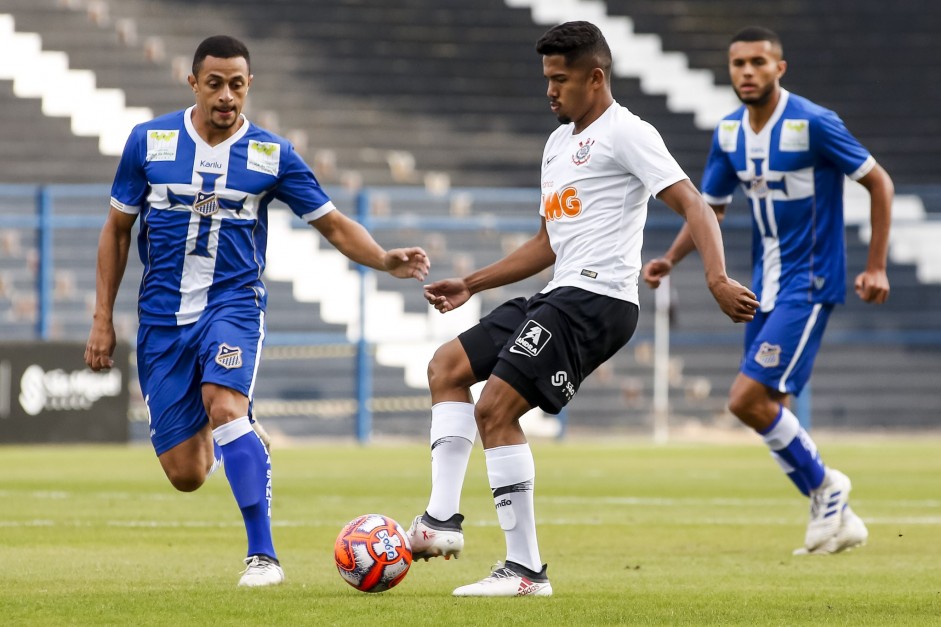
<point x="453" y="430"/>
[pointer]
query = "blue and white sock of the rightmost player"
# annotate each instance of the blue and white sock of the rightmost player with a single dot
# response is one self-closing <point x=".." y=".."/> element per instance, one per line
<point x="794" y="450"/>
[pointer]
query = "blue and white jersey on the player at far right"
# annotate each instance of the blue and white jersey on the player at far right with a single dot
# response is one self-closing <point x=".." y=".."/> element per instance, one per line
<point x="792" y="173"/>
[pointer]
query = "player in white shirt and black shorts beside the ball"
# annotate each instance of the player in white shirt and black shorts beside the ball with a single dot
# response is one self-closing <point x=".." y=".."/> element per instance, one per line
<point x="599" y="169"/>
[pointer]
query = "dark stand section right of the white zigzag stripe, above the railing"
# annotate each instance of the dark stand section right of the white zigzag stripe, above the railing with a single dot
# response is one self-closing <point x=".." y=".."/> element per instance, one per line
<point x="872" y="63"/>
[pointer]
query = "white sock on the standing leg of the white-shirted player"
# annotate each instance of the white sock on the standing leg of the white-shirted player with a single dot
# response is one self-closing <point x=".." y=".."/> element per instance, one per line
<point x="512" y="473"/>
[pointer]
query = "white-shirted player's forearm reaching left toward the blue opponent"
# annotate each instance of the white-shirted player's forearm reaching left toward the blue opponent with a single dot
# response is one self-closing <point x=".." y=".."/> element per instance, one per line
<point x="533" y="256"/>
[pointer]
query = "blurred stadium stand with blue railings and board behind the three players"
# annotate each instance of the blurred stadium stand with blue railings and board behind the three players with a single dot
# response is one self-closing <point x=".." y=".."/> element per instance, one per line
<point x="425" y="120"/>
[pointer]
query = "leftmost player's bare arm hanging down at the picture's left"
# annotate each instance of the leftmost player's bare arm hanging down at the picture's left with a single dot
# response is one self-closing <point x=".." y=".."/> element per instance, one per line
<point x="113" y="245"/>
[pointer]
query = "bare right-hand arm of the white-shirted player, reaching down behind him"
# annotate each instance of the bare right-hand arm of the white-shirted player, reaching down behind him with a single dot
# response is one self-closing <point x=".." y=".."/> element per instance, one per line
<point x="735" y="300"/>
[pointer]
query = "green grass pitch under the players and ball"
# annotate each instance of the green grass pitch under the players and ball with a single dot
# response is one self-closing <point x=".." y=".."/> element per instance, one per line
<point x="633" y="534"/>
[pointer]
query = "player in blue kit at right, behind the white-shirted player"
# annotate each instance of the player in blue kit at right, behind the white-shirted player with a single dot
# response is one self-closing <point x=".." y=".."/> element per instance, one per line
<point x="790" y="157"/>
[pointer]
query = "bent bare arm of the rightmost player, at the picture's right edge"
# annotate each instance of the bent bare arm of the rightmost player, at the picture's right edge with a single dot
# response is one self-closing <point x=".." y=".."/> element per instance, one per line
<point x="872" y="284"/>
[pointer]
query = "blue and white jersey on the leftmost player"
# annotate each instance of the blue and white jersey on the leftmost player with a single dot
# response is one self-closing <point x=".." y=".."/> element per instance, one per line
<point x="204" y="212"/>
